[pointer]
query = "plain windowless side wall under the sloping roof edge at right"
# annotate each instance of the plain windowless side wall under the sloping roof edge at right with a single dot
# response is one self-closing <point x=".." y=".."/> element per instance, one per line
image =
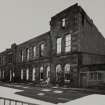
<point x="91" y="40"/>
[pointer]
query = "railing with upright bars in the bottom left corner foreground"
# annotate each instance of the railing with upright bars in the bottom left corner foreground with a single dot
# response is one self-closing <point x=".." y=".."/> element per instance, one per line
<point x="7" y="101"/>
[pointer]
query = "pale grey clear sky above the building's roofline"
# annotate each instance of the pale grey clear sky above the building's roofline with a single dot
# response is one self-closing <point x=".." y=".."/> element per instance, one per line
<point x="21" y="20"/>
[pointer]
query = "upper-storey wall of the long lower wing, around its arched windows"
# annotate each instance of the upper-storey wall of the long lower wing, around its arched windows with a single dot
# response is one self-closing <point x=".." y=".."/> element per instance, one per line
<point x="45" y="38"/>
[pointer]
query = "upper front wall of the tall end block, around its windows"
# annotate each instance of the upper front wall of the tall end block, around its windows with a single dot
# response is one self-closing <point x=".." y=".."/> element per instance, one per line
<point x="71" y="27"/>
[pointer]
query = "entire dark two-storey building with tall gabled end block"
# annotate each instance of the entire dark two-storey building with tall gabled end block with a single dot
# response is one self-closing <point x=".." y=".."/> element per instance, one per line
<point x="71" y="54"/>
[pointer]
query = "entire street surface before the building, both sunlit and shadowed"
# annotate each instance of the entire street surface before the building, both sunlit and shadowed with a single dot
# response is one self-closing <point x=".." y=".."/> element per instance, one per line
<point x="51" y="95"/>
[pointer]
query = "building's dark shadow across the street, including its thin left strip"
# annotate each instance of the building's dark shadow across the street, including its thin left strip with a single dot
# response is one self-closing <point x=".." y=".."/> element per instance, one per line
<point x="53" y="95"/>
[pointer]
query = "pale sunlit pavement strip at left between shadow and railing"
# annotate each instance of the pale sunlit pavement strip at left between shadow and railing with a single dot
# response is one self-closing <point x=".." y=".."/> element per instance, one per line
<point x="9" y="93"/>
